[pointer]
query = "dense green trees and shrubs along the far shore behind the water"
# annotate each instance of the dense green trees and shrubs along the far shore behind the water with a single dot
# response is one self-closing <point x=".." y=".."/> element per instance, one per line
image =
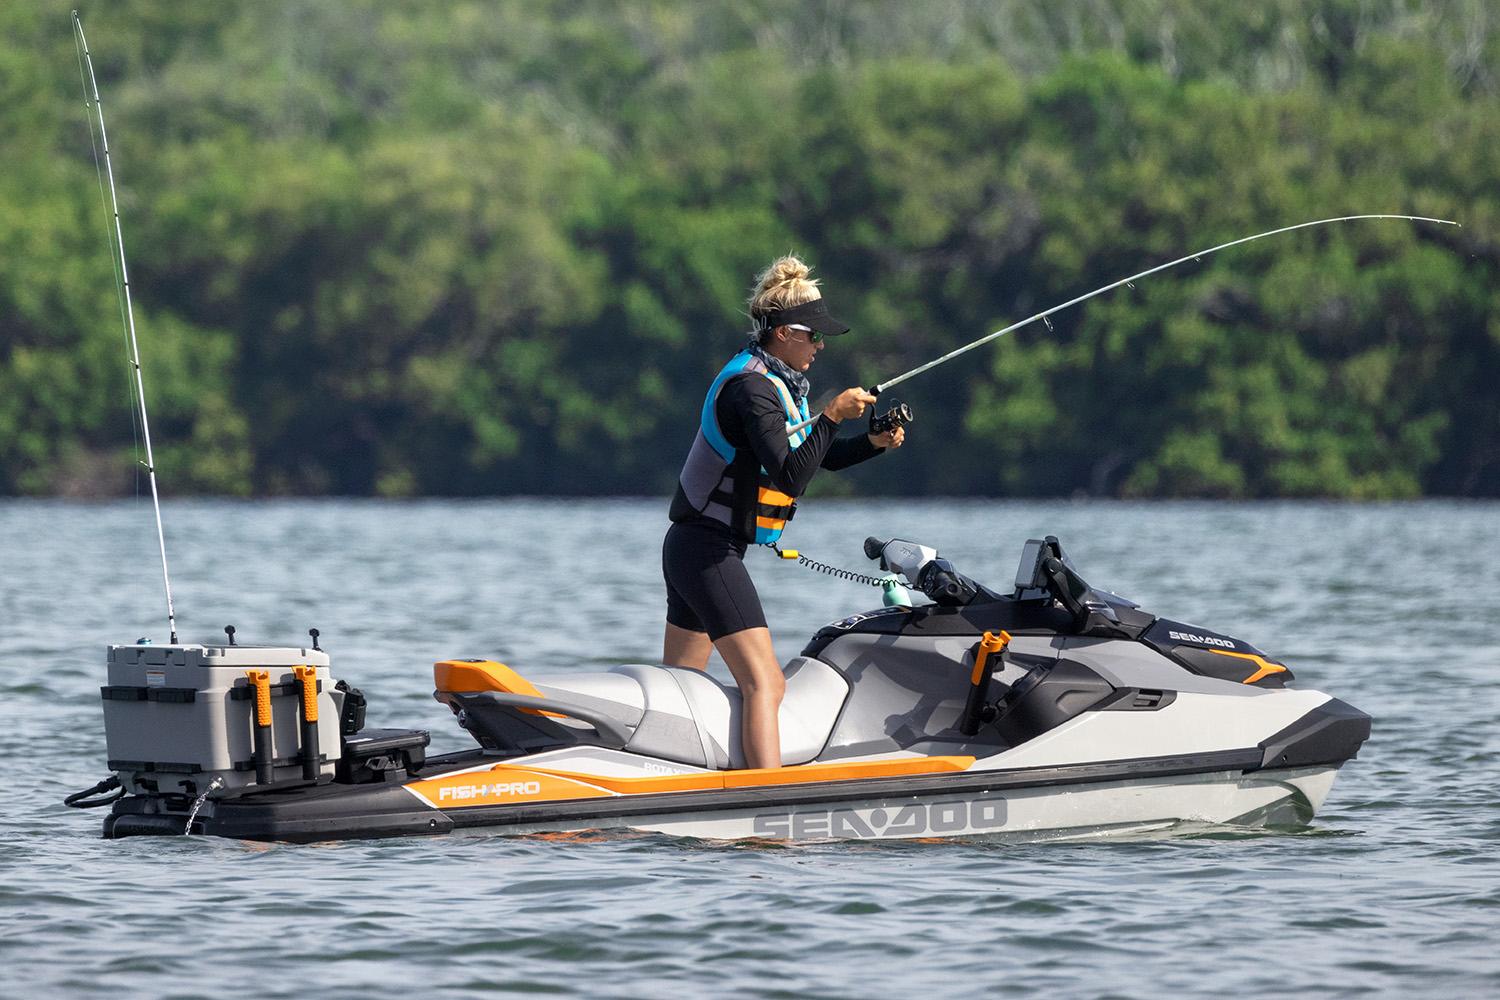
<point x="472" y="250"/>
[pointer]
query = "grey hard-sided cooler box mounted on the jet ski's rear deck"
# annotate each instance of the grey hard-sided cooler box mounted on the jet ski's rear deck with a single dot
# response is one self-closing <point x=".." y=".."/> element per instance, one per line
<point x="176" y="717"/>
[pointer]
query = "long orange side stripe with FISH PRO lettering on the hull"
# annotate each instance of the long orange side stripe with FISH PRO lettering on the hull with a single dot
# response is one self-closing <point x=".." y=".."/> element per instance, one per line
<point x="508" y="783"/>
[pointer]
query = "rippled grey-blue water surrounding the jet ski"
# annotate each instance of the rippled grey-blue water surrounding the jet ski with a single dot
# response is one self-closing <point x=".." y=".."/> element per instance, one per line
<point x="1393" y="891"/>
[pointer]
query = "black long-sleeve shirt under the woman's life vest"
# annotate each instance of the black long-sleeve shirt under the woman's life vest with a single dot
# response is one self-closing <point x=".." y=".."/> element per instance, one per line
<point x="754" y="421"/>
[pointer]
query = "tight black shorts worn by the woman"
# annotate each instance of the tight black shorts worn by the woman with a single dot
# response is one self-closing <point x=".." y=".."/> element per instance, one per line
<point x="709" y="588"/>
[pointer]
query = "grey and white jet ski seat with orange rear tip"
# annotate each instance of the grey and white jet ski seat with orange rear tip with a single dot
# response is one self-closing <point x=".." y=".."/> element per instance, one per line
<point x="671" y="713"/>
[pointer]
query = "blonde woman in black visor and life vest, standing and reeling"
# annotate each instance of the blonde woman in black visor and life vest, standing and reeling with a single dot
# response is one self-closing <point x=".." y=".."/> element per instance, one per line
<point x="740" y="487"/>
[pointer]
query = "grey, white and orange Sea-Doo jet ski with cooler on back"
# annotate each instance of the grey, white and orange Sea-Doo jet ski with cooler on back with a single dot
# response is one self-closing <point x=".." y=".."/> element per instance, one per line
<point x="1051" y="710"/>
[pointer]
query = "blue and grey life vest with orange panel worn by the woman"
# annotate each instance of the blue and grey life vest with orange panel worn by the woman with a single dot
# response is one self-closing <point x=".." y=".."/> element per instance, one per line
<point x="707" y="479"/>
